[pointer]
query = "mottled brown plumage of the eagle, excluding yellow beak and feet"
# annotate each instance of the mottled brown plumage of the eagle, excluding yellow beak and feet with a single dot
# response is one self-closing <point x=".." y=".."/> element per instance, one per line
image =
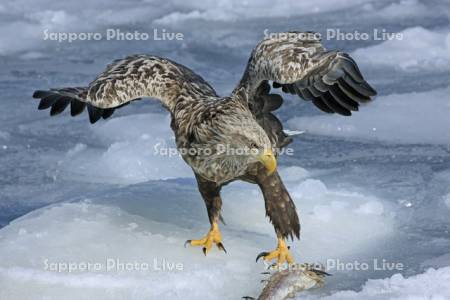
<point x="201" y="120"/>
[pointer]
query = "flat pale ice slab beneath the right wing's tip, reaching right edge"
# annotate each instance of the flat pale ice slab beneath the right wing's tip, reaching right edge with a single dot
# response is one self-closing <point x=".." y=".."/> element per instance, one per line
<point x="400" y="124"/>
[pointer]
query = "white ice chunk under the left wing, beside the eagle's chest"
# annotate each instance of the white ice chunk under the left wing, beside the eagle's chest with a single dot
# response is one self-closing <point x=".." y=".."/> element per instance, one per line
<point x="138" y="148"/>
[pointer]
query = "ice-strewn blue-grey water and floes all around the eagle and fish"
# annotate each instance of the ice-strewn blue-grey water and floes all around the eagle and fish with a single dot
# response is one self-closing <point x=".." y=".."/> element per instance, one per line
<point x="370" y="189"/>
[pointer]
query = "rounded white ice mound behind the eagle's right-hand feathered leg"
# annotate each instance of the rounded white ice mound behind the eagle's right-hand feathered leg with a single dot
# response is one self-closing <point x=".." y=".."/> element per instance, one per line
<point x="328" y="217"/>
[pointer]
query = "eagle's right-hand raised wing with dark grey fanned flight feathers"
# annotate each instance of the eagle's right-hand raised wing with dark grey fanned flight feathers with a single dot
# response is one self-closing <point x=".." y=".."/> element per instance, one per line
<point x="299" y="64"/>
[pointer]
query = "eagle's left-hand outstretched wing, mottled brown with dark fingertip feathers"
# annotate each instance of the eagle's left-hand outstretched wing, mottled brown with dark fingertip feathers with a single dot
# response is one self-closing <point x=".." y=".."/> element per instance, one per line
<point x="125" y="80"/>
